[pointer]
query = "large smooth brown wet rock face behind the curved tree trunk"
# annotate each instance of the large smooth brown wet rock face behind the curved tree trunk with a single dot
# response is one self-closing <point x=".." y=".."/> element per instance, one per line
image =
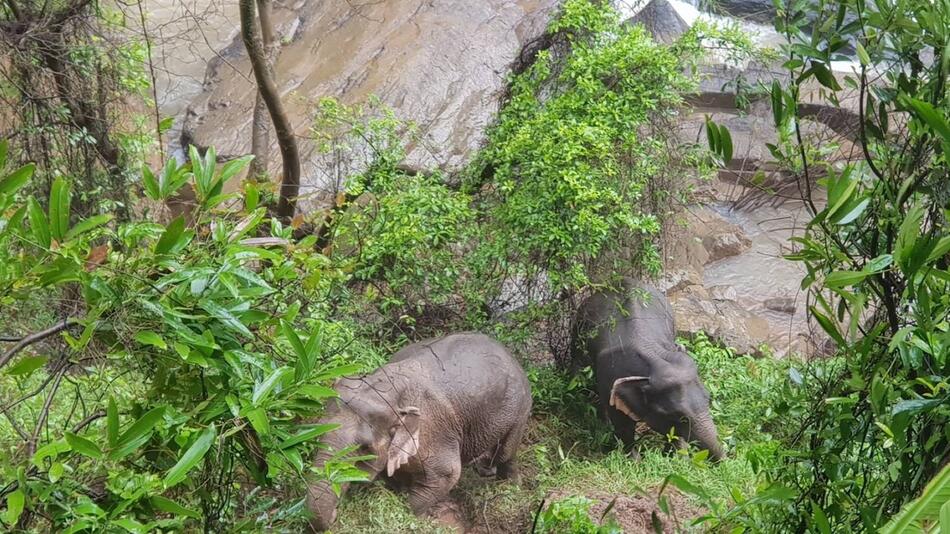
<point x="439" y="63"/>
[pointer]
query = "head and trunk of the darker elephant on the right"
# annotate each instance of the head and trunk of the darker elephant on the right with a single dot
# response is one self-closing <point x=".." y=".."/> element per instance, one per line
<point x="670" y="396"/>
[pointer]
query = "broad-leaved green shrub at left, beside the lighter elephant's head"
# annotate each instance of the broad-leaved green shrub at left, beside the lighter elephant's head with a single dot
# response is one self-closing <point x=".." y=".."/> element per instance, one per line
<point x="182" y="358"/>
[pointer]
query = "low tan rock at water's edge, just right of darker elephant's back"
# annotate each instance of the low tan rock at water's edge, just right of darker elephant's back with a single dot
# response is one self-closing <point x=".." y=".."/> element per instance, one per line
<point x="722" y="320"/>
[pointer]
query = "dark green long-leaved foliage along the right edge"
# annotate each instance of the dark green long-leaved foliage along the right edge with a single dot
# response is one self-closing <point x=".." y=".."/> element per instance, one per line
<point x="875" y="427"/>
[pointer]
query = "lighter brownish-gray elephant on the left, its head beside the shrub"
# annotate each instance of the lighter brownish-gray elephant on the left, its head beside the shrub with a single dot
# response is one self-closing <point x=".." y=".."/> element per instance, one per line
<point x="437" y="405"/>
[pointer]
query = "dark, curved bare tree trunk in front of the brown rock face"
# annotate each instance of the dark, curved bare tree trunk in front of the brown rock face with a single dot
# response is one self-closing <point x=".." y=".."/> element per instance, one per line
<point x="290" y="183"/>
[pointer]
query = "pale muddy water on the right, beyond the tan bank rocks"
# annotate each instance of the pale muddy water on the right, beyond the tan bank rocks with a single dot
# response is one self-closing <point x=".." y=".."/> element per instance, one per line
<point x="761" y="273"/>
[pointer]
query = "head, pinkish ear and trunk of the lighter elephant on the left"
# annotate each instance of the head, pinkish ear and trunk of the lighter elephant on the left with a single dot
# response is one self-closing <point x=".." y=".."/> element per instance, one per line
<point x="374" y="426"/>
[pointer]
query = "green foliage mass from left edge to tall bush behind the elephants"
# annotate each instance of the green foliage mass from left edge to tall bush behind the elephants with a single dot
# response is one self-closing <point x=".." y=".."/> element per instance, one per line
<point x="164" y="369"/>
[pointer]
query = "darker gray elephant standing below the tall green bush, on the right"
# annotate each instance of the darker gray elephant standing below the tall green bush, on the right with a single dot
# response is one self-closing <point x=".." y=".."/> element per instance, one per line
<point x="642" y="374"/>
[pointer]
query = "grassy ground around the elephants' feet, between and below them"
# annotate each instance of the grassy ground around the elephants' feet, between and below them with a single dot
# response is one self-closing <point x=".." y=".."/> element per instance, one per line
<point x="571" y="451"/>
